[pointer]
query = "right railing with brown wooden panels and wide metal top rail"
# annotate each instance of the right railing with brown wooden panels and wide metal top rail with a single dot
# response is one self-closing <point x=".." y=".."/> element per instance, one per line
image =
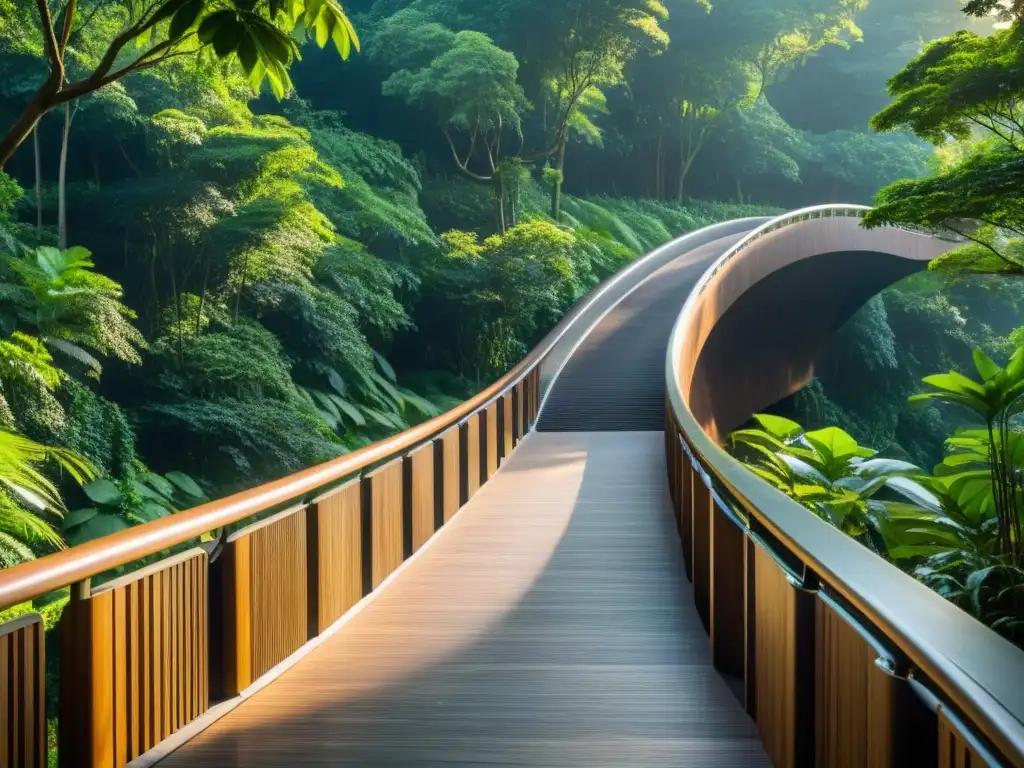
<point x="847" y="660"/>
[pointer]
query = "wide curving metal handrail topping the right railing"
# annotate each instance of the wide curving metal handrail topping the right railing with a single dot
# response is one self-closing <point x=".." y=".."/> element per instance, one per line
<point x="976" y="669"/>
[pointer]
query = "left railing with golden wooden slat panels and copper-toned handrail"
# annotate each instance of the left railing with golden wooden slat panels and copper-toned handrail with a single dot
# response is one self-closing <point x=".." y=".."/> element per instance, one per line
<point x="146" y="655"/>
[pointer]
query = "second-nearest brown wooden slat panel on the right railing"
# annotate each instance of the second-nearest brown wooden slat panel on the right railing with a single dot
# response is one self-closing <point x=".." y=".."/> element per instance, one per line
<point x="855" y="698"/>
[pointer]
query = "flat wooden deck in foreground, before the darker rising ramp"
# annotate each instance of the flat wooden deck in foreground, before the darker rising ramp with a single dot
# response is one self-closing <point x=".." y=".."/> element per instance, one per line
<point x="550" y="625"/>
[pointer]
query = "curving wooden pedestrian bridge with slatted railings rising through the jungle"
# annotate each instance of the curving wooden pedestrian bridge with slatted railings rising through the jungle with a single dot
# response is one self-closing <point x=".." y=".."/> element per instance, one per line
<point x="567" y="571"/>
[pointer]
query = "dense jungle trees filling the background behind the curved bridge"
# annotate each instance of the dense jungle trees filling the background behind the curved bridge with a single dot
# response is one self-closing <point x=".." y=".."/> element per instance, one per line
<point x="244" y="237"/>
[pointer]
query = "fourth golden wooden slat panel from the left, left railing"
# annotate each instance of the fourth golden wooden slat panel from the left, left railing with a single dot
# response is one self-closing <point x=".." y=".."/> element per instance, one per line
<point x="339" y="571"/>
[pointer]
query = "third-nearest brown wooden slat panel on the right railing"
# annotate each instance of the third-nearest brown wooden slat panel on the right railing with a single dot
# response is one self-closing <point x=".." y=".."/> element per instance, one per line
<point x="781" y="648"/>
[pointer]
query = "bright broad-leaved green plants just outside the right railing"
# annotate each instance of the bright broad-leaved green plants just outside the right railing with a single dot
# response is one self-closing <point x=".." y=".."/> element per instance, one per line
<point x="959" y="530"/>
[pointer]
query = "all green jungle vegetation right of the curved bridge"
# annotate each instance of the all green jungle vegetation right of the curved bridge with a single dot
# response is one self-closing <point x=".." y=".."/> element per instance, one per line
<point x="929" y="474"/>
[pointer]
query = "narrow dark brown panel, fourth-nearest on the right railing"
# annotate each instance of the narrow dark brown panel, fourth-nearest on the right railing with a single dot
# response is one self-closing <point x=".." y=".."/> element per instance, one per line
<point x="729" y="584"/>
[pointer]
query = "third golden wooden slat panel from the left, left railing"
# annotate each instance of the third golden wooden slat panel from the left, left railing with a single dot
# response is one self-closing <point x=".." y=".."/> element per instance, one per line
<point x="266" y="605"/>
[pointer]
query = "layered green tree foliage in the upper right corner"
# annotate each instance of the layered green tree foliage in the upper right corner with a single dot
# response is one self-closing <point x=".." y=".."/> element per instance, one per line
<point x="966" y="87"/>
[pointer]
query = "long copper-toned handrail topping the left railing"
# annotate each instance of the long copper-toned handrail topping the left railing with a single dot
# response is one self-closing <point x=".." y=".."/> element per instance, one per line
<point x="31" y="580"/>
